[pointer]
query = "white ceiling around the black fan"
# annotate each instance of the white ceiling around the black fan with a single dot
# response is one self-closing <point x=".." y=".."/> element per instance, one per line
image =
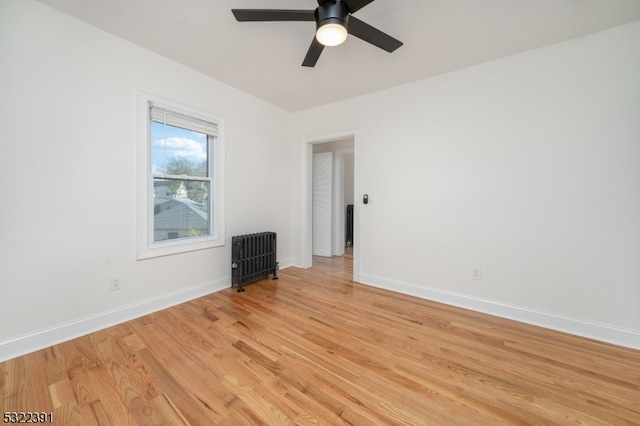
<point x="263" y="58"/>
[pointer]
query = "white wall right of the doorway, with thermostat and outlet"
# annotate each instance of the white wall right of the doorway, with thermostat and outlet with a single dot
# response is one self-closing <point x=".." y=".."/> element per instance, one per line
<point x="528" y="167"/>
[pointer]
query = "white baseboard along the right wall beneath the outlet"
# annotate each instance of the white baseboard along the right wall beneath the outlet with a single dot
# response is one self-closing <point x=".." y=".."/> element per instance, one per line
<point x="589" y="329"/>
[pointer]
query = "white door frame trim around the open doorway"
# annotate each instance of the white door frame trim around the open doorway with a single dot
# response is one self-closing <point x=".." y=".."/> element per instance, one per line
<point x="307" y="197"/>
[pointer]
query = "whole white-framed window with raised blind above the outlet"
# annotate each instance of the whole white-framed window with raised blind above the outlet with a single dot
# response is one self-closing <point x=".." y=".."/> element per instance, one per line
<point x="180" y="169"/>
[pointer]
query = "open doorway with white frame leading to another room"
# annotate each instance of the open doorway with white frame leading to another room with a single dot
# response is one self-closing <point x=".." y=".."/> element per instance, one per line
<point x="327" y="199"/>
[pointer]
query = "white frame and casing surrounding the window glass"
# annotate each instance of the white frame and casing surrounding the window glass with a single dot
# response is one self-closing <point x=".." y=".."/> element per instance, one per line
<point x="146" y="246"/>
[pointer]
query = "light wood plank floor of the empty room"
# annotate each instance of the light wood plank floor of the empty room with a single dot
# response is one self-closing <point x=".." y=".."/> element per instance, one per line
<point x="316" y="348"/>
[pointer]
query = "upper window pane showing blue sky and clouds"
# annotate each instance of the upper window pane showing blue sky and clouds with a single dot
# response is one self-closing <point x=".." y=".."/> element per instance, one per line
<point x="176" y="151"/>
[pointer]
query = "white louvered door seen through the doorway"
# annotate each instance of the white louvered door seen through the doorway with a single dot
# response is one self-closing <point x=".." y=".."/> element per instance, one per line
<point x="322" y="206"/>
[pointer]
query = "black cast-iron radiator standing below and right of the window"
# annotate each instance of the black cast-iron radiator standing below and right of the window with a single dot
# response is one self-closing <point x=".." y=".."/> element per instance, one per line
<point x="253" y="257"/>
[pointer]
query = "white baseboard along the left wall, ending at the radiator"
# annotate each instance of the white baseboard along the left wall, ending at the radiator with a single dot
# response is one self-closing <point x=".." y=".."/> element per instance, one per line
<point x="40" y="339"/>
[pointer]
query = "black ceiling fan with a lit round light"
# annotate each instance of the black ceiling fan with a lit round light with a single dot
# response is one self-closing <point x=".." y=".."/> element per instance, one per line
<point x="334" y="21"/>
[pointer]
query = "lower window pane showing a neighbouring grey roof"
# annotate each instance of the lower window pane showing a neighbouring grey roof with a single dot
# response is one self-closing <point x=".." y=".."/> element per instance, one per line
<point x="181" y="209"/>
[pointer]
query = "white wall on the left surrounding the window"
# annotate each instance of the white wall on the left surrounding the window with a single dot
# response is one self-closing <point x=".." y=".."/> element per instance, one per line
<point x="67" y="170"/>
